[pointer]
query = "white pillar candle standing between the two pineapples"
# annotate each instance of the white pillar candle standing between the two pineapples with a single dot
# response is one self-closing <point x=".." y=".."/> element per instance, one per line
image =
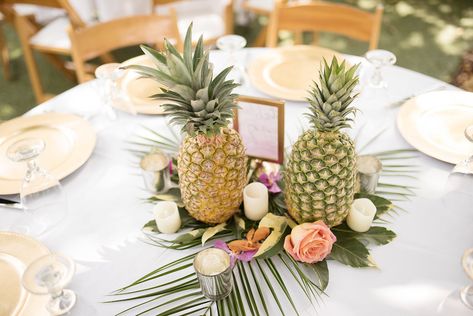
<point x="255" y="201"/>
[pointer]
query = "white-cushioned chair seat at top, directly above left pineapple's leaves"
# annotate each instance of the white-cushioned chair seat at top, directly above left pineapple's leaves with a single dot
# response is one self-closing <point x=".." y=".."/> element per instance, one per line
<point x="204" y="13"/>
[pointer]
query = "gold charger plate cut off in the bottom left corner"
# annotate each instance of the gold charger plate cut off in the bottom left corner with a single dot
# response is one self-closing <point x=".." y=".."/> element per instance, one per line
<point x="16" y="253"/>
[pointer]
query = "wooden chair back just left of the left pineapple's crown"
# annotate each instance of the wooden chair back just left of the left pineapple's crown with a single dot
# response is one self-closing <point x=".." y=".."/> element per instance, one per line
<point x="96" y="40"/>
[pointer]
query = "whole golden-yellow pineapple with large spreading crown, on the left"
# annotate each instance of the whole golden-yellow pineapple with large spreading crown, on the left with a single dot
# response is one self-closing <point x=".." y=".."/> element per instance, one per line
<point x="212" y="164"/>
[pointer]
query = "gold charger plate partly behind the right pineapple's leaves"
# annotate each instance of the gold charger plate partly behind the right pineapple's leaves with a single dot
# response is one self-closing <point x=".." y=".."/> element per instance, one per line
<point x="288" y="72"/>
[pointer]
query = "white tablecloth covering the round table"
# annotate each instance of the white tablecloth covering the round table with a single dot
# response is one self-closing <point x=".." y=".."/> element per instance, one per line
<point x="102" y="232"/>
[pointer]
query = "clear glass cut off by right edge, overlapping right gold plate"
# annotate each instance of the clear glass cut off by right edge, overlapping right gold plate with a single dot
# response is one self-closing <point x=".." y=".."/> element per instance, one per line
<point x="460" y="179"/>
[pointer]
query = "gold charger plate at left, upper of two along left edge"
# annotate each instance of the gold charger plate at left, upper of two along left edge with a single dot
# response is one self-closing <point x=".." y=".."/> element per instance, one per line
<point x="69" y="141"/>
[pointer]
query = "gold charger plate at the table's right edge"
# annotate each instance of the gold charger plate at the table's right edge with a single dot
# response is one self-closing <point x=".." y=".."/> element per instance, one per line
<point x="434" y="123"/>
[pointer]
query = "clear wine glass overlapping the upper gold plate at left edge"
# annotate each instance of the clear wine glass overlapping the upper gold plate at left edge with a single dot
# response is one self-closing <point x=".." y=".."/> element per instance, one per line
<point x="41" y="195"/>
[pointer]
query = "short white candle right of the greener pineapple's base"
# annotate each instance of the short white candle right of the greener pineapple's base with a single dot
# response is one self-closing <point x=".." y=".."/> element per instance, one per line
<point x="361" y="215"/>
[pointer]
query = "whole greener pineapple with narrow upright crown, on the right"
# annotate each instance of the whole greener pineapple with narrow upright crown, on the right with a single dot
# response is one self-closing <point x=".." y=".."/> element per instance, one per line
<point x="321" y="170"/>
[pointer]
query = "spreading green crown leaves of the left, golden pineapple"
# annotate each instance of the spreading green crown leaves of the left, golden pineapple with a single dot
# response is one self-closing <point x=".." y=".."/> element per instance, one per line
<point x="199" y="102"/>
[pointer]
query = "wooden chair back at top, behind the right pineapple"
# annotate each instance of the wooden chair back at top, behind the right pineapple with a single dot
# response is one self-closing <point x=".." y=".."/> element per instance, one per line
<point x="320" y="16"/>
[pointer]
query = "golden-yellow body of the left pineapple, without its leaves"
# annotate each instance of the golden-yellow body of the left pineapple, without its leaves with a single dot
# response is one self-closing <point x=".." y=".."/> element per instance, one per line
<point x="211" y="177"/>
